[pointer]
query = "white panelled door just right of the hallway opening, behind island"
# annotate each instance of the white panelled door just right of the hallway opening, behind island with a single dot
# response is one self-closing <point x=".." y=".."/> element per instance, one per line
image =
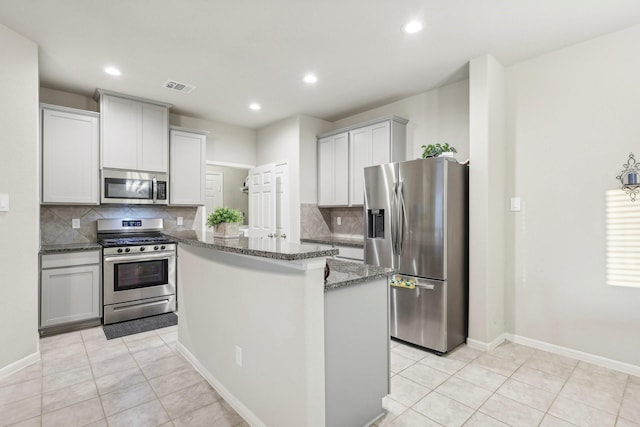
<point x="262" y="201"/>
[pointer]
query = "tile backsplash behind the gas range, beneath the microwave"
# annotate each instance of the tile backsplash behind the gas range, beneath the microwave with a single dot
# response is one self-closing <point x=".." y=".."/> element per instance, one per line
<point x="55" y="221"/>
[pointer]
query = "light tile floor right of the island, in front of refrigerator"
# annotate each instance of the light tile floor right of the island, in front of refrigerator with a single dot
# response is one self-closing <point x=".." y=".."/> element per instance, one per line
<point x="512" y="385"/>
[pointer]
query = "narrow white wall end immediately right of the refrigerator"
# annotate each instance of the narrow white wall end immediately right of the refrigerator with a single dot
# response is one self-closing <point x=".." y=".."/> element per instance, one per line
<point x="486" y="201"/>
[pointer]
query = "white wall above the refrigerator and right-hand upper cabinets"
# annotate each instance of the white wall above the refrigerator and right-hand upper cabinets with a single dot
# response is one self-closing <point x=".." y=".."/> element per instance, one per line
<point x="439" y="115"/>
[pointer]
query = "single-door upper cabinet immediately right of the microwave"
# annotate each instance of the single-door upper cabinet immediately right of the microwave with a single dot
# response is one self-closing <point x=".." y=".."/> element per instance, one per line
<point x="187" y="166"/>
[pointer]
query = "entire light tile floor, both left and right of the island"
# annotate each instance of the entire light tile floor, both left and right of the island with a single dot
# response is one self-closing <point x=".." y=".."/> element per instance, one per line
<point x="140" y="380"/>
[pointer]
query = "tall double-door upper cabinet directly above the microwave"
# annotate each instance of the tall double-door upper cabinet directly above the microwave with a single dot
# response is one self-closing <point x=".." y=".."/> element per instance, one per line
<point x="134" y="133"/>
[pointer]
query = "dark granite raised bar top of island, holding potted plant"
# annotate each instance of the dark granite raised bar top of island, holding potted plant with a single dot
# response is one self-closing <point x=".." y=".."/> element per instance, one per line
<point x="255" y="246"/>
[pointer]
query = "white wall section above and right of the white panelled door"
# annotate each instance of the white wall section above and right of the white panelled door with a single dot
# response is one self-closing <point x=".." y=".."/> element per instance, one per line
<point x="280" y="142"/>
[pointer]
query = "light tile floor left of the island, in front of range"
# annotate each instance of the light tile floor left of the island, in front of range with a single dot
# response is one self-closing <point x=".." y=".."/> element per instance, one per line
<point x="134" y="381"/>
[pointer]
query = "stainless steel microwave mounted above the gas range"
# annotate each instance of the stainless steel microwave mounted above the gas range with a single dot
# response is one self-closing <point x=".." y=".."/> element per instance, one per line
<point x="135" y="188"/>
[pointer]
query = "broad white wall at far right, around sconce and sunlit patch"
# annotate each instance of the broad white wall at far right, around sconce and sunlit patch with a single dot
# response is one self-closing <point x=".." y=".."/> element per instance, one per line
<point x="573" y="118"/>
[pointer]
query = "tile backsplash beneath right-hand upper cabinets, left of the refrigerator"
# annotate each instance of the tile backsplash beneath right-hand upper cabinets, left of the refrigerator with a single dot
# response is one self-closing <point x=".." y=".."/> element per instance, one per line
<point x="321" y="222"/>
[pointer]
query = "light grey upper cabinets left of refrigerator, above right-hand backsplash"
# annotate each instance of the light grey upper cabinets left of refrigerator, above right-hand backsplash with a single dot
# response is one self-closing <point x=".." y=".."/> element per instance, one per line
<point x="372" y="143"/>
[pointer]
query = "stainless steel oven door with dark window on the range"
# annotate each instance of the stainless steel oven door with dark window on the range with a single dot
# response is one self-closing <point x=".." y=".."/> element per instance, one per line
<point x="135" y="277"/>
